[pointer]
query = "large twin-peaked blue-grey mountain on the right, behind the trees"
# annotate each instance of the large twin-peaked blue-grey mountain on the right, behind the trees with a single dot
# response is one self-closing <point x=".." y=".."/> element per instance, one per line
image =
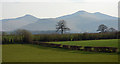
<point x="83" y="21"/>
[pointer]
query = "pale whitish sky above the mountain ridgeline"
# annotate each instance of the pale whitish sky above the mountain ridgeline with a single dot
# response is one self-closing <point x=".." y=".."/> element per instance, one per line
<point x="55" y="8"/>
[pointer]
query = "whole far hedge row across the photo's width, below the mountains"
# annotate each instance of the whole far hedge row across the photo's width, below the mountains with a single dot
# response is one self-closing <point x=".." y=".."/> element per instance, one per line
<point x="58" y="37"/>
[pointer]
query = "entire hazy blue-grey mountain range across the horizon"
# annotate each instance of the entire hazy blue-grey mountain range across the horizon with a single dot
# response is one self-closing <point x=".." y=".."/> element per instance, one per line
<point x="80" y="21"/>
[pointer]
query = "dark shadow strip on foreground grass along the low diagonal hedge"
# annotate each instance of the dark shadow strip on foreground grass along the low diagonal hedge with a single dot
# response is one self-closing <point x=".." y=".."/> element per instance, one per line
<point x="67" y="50"/>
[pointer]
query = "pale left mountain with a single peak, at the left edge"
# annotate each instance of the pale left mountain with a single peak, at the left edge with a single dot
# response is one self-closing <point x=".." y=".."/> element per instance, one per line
<point x="16" y="23"/>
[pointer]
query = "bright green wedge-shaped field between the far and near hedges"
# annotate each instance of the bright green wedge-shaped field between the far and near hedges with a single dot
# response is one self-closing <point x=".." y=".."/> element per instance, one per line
<point x="103" y="43"/>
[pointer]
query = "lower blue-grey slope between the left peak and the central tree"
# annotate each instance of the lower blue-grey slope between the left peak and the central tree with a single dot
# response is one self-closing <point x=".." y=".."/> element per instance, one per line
<point x="42" y="25"/>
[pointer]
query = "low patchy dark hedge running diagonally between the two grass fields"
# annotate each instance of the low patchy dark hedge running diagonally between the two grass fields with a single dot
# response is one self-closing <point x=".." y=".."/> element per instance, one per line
<point x="82" y="48"/>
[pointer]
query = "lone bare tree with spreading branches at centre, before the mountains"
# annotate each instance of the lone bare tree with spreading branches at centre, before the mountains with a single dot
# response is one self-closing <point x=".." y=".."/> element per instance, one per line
<point x="61" y="26"/>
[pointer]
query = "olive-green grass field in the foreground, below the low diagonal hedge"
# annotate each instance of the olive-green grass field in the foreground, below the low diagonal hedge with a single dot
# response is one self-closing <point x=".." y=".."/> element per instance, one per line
<point x="36" y="53"/>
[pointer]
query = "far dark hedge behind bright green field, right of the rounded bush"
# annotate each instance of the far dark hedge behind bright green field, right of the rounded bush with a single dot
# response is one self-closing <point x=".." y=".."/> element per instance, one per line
<point x="74" y="37"/>
